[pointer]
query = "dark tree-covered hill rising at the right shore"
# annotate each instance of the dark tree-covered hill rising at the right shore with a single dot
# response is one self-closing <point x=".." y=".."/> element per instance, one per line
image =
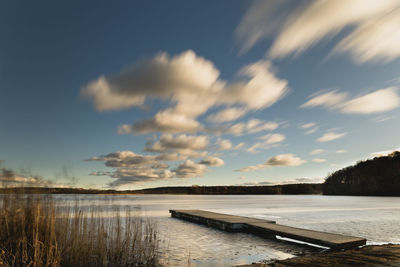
<point x="379" y="176"/>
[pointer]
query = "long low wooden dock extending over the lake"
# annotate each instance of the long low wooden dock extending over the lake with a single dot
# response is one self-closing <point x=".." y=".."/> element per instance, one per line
<point x="267" y="229"/>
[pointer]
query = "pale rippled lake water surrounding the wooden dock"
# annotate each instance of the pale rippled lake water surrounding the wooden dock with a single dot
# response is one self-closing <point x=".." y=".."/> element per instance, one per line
<point x="185" y="243"/>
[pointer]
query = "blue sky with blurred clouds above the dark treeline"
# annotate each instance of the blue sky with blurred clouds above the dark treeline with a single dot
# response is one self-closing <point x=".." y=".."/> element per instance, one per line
<point x="138" y="94"/>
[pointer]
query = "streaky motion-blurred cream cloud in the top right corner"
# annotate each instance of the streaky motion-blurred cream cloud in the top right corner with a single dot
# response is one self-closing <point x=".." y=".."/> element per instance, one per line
<point x="372" y="27"/>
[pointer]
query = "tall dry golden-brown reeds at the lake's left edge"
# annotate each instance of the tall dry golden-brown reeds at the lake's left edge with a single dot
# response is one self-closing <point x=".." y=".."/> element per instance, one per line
<point x="34" y="231"/>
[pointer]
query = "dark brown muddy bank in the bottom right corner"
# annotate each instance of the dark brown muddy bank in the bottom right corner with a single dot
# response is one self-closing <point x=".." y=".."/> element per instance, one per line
<point x="384" y="255"/>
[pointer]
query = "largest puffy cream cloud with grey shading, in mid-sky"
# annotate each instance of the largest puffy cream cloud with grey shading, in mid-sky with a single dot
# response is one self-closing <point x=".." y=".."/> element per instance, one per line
<point x="192" y="86"/>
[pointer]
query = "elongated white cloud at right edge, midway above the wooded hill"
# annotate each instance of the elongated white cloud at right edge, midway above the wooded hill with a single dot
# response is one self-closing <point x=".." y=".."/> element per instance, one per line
<point x="379" y="101"/>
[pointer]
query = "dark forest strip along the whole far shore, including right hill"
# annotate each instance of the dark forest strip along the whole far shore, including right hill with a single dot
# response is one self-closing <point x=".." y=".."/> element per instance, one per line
<point x="379" y="176"/>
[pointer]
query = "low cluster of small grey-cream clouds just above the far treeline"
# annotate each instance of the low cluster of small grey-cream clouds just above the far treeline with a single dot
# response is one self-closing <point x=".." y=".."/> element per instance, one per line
<point x="130" y="168"/>
